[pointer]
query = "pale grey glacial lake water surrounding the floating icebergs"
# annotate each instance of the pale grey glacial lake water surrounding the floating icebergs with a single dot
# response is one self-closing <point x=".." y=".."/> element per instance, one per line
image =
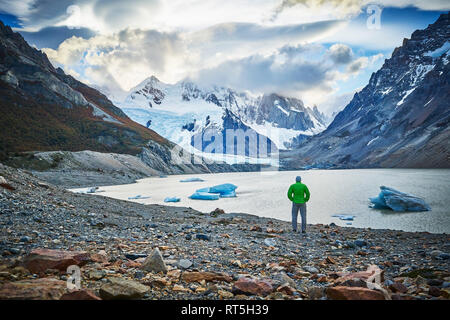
<point x="332" y="192"/>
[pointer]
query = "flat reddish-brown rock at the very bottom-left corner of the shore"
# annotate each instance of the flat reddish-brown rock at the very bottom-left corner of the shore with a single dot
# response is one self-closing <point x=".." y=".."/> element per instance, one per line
<point x="36" y="289"/>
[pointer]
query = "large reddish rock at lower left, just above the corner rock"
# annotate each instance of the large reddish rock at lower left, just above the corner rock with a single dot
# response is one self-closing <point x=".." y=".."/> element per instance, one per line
<point x="40" y="260"/>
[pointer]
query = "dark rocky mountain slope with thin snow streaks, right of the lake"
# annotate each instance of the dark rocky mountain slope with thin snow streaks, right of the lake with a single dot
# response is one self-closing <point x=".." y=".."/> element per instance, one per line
<point x="400" y="119"/>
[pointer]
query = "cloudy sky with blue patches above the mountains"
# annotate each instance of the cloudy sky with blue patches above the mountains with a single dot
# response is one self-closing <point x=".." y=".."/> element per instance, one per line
<point x="321" y="51"/>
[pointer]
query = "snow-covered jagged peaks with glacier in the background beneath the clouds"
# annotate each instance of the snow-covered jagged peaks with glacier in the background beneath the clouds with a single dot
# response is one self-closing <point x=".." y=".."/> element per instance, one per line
<point x="186" y="112"/>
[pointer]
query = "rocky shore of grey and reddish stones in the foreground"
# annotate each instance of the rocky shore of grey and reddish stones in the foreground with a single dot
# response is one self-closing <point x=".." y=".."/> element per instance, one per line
<point x="127" y="250"/>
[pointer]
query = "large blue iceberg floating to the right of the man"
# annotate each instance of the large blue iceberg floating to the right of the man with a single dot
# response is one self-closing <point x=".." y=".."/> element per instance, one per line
<point x="398" y="201"/>
